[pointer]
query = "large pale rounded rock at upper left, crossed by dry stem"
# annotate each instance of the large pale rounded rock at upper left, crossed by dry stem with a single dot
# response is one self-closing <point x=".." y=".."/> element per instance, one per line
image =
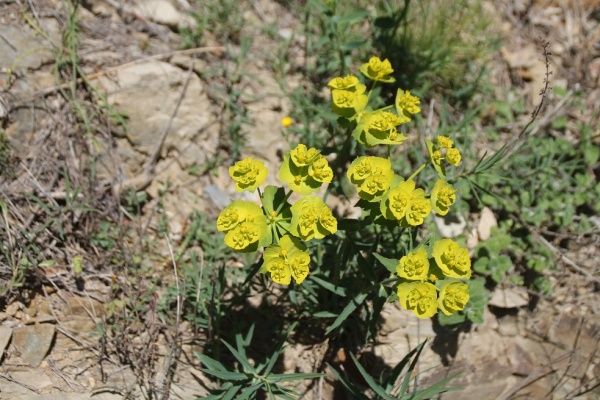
<point x="148" y="93"/>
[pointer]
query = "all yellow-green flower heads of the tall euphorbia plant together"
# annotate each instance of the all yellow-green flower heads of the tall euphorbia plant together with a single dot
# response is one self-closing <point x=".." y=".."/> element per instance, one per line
<point x="427" y="278"/>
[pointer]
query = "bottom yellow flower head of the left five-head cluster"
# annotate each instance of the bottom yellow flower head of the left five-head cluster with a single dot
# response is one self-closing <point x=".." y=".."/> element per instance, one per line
<point x="286" y="260"/>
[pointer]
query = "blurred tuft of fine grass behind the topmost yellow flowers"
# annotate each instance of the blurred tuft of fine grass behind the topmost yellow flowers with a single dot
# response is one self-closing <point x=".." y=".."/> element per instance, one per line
<point x="436" y="44"/>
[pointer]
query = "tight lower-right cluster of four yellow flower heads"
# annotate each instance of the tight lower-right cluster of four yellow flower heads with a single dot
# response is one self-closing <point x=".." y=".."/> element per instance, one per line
<point x="417" y="291"/>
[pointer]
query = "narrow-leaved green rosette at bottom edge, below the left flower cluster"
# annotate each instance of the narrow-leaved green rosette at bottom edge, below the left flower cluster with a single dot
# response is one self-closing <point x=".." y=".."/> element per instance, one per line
<point x="248" y="381"/>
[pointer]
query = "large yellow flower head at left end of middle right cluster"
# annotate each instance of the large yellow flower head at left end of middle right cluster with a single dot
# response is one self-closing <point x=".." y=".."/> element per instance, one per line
<point x="372" y="175"/>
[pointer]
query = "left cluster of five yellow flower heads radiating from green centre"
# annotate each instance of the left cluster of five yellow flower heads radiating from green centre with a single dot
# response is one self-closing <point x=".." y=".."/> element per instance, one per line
<point x="279" y="227"/>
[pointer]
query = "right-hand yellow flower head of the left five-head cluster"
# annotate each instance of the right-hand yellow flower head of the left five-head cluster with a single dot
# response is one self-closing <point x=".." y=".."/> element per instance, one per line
<point x="312" y="219"/>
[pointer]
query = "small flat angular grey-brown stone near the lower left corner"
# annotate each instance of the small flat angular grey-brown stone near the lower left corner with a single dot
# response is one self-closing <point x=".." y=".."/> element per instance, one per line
<point x="33" y="342"/>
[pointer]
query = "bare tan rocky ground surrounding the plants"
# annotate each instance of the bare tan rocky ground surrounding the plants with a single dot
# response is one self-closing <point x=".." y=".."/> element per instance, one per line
<point x="129" y="52"/>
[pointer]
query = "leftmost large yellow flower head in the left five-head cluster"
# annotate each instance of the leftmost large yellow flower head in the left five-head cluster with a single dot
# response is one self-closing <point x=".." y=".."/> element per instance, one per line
<point x="245" y="226"/>
